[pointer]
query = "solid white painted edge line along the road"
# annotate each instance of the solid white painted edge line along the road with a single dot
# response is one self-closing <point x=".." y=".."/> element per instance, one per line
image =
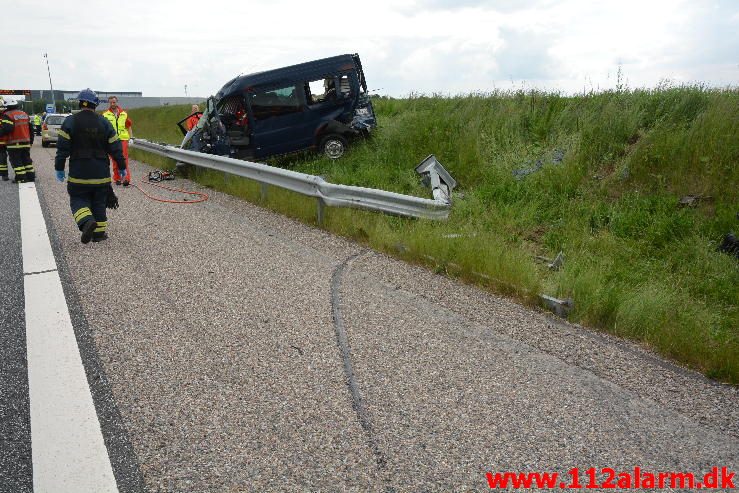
<point x="69" y="454"/>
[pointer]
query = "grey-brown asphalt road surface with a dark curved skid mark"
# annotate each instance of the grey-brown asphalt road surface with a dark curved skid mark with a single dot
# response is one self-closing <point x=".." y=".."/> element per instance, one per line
<point x="231" y="349"/>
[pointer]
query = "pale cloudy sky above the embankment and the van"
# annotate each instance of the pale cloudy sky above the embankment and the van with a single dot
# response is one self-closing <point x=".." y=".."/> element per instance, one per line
<point x="406" y="46"/>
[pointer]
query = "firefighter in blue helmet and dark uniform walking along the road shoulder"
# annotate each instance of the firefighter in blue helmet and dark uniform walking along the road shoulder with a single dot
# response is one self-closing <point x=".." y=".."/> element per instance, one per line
<point x="87" y="139"/>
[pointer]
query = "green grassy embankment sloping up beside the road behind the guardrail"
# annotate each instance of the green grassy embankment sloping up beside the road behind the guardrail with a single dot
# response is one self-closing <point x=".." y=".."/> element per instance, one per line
<point x="637" y="264"/>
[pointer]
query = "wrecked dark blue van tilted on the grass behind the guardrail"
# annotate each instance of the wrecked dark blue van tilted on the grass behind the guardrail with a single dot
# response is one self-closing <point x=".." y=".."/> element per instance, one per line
<point x="322" y="105"/>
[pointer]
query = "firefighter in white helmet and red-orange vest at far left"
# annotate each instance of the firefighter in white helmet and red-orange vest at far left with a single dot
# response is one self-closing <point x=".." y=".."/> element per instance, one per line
<point x="16" y="128"/>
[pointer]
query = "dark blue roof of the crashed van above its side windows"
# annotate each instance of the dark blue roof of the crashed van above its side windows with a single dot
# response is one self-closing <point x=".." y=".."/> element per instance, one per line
<point x="287" y="75"/>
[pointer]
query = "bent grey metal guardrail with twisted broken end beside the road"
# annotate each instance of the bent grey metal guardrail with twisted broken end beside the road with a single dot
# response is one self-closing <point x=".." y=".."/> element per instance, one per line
<point x="327" y="194"/>
